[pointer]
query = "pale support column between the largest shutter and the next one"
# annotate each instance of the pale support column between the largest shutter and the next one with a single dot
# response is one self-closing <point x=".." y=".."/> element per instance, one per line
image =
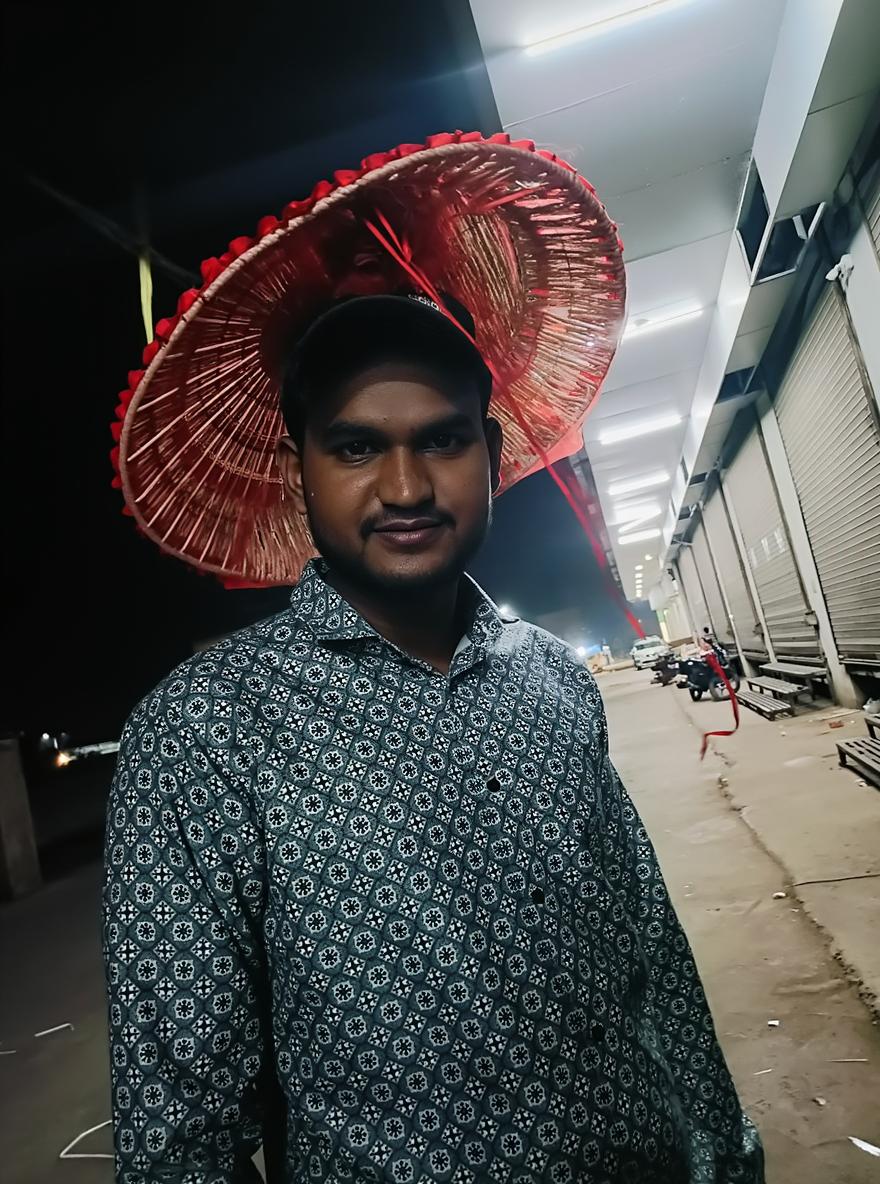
<point x="843" y="686"/>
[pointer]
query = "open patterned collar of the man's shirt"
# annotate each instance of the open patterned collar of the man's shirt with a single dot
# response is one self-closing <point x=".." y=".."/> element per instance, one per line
<point x="318" y="606"/>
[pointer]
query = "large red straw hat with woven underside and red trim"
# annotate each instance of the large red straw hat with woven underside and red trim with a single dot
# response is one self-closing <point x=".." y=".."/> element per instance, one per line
<point x="515" y="235"/>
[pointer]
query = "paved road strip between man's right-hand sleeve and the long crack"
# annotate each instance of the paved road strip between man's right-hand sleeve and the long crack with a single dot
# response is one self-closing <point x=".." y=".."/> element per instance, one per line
<point x="761" y="958"/>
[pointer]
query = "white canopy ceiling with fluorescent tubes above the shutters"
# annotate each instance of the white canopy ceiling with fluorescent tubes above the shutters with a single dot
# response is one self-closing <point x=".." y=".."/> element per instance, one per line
<point x="661" y="117"/>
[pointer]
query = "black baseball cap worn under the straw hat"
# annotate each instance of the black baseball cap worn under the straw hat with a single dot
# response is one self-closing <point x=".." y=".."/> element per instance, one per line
<point x="359" y="330"/>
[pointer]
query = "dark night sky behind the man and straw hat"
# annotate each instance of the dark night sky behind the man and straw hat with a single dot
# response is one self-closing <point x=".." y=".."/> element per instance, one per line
<point x="203" y="125"/>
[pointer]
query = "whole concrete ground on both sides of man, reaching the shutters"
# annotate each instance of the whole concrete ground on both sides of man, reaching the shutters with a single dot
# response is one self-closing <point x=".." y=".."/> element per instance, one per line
<point x="766" y="814"/>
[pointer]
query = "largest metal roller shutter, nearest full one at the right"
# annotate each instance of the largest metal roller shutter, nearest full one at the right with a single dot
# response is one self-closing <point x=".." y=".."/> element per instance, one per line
<point x="832" y="442"/>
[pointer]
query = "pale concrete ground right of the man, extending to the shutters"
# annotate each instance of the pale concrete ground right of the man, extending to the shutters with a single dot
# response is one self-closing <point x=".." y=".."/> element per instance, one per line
<point x="763" y="812"/>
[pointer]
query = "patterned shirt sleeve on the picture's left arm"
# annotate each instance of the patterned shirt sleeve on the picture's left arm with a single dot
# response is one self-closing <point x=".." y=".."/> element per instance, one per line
<point x="183" y="904"/>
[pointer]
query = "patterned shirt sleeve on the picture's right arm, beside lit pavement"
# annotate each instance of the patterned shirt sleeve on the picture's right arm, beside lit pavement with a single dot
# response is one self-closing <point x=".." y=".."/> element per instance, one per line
<point x="724" y="1144"/>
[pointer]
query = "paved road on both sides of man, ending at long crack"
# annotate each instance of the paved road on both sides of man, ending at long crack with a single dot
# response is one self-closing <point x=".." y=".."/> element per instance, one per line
<point x="761" y="958"/>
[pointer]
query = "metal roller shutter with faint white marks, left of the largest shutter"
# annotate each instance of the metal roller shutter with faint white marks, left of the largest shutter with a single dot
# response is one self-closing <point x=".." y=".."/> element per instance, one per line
<point x="751" y="491"/>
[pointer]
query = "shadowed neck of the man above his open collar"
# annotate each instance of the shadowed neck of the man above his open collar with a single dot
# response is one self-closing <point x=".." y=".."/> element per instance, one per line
<point x="428" y="626"/>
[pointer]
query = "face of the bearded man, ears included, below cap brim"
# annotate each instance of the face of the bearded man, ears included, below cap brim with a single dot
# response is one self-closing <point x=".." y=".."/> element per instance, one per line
<point x="396" y="477"/>
